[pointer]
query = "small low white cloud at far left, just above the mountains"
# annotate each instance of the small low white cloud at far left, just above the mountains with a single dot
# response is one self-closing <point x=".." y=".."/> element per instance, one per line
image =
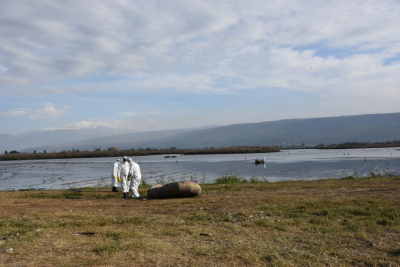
<point x="49" y="111"/>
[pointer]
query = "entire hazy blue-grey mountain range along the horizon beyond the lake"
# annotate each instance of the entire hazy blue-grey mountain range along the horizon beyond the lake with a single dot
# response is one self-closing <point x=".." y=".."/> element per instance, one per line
<point x="311" y="132"/>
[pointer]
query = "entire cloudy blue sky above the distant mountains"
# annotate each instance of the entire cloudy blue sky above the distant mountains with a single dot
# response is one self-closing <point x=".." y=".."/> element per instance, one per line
<point x="157" y="65"/>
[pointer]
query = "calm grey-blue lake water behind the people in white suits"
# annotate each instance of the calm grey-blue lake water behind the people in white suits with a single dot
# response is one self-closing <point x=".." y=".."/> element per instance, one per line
<point x="305" y="164"/>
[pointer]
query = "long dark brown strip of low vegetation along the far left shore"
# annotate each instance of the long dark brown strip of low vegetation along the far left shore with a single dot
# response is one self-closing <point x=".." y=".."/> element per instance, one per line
<point x="141" y="152"/>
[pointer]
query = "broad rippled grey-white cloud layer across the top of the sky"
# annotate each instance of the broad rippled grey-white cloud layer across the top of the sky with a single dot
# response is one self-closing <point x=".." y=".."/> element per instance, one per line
<point x="77" y="38"/>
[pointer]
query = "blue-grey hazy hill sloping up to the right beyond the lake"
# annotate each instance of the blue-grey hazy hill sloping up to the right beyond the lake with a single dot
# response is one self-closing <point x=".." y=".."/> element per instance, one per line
<point x="360" y="128"/>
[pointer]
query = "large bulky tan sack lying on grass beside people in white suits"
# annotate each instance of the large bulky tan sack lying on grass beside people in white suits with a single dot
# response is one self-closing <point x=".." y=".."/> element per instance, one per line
<point x="177" y="189"/>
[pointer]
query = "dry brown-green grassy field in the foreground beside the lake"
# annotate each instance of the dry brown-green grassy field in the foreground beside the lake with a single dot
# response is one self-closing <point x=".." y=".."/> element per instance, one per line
<point x="346" y="222"/>
